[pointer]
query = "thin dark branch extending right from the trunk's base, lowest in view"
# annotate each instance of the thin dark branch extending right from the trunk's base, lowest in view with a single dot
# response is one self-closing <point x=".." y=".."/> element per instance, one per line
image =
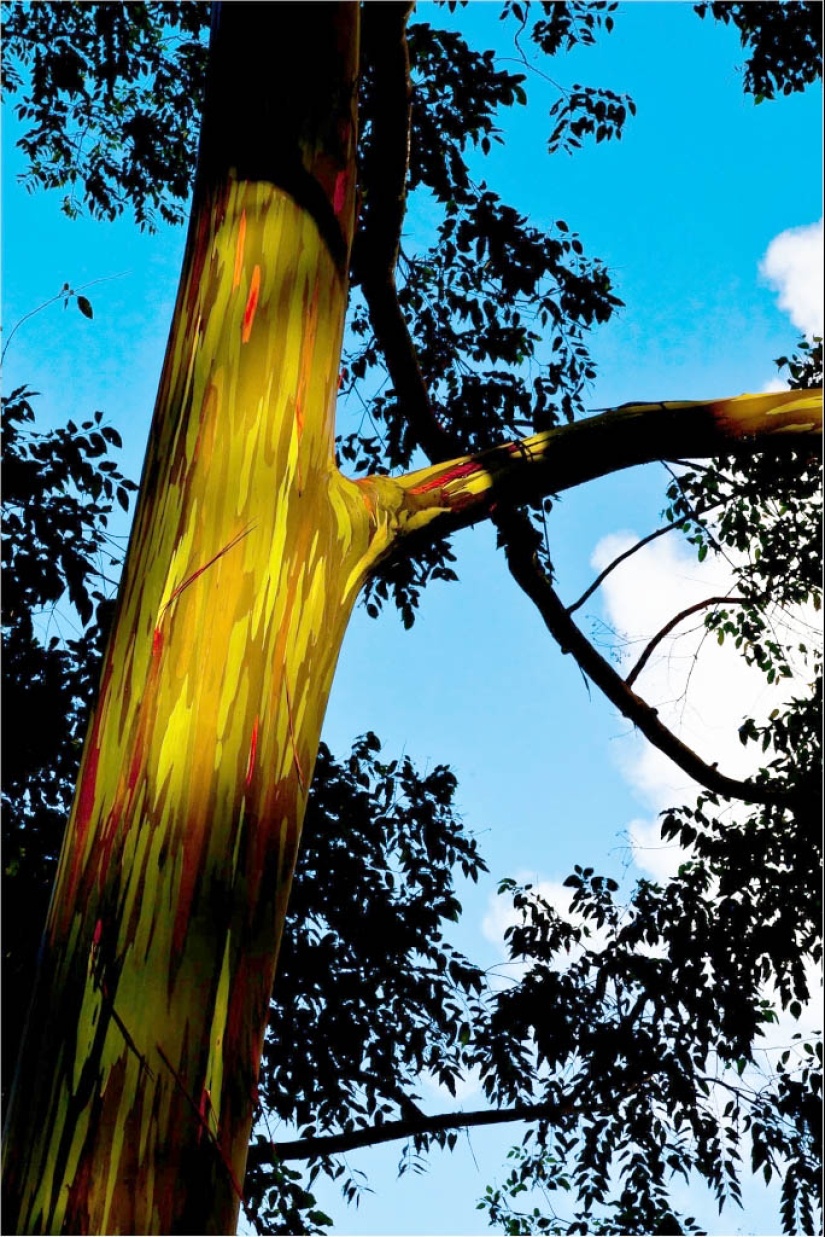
<point x="390" y="1131"/>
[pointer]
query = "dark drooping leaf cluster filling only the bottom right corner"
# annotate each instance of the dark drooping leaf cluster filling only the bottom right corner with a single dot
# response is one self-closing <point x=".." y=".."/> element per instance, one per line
<point x="645" y="1025"/>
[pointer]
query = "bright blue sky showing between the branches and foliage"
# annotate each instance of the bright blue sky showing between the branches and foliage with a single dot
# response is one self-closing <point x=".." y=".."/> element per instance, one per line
<point x="683" y="211"/>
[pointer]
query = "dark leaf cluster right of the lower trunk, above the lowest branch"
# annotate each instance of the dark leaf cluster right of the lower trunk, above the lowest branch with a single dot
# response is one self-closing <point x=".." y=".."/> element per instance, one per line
<point x="370" y="994"/>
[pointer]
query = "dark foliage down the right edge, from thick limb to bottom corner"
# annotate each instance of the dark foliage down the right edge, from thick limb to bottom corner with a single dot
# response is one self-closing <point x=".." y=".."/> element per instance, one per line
<point x="655" y="1040"/>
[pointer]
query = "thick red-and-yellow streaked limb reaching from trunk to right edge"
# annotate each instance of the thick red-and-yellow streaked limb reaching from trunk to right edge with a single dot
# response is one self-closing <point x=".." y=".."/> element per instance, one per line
<point x="466" y="490"/>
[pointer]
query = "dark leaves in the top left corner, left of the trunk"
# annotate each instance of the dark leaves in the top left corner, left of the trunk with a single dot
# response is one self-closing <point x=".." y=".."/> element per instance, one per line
<point x="112" y="96"/>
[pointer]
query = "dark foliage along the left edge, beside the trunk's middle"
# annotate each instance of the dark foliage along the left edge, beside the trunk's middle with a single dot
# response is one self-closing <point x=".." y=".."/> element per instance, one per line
<point x="59" y="490"/>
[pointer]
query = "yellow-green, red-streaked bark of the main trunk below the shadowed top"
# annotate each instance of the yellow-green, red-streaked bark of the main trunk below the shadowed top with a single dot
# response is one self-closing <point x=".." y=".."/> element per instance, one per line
<point x="134" y="1102"/>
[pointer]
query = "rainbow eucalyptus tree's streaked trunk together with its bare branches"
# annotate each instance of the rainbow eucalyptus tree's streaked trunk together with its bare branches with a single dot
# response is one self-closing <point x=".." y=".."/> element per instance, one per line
<point x="135" y="1093"/>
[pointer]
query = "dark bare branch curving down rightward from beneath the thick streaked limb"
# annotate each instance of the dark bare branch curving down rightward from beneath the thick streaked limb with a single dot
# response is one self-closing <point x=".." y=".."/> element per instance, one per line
<point x="524" y="565"/>
